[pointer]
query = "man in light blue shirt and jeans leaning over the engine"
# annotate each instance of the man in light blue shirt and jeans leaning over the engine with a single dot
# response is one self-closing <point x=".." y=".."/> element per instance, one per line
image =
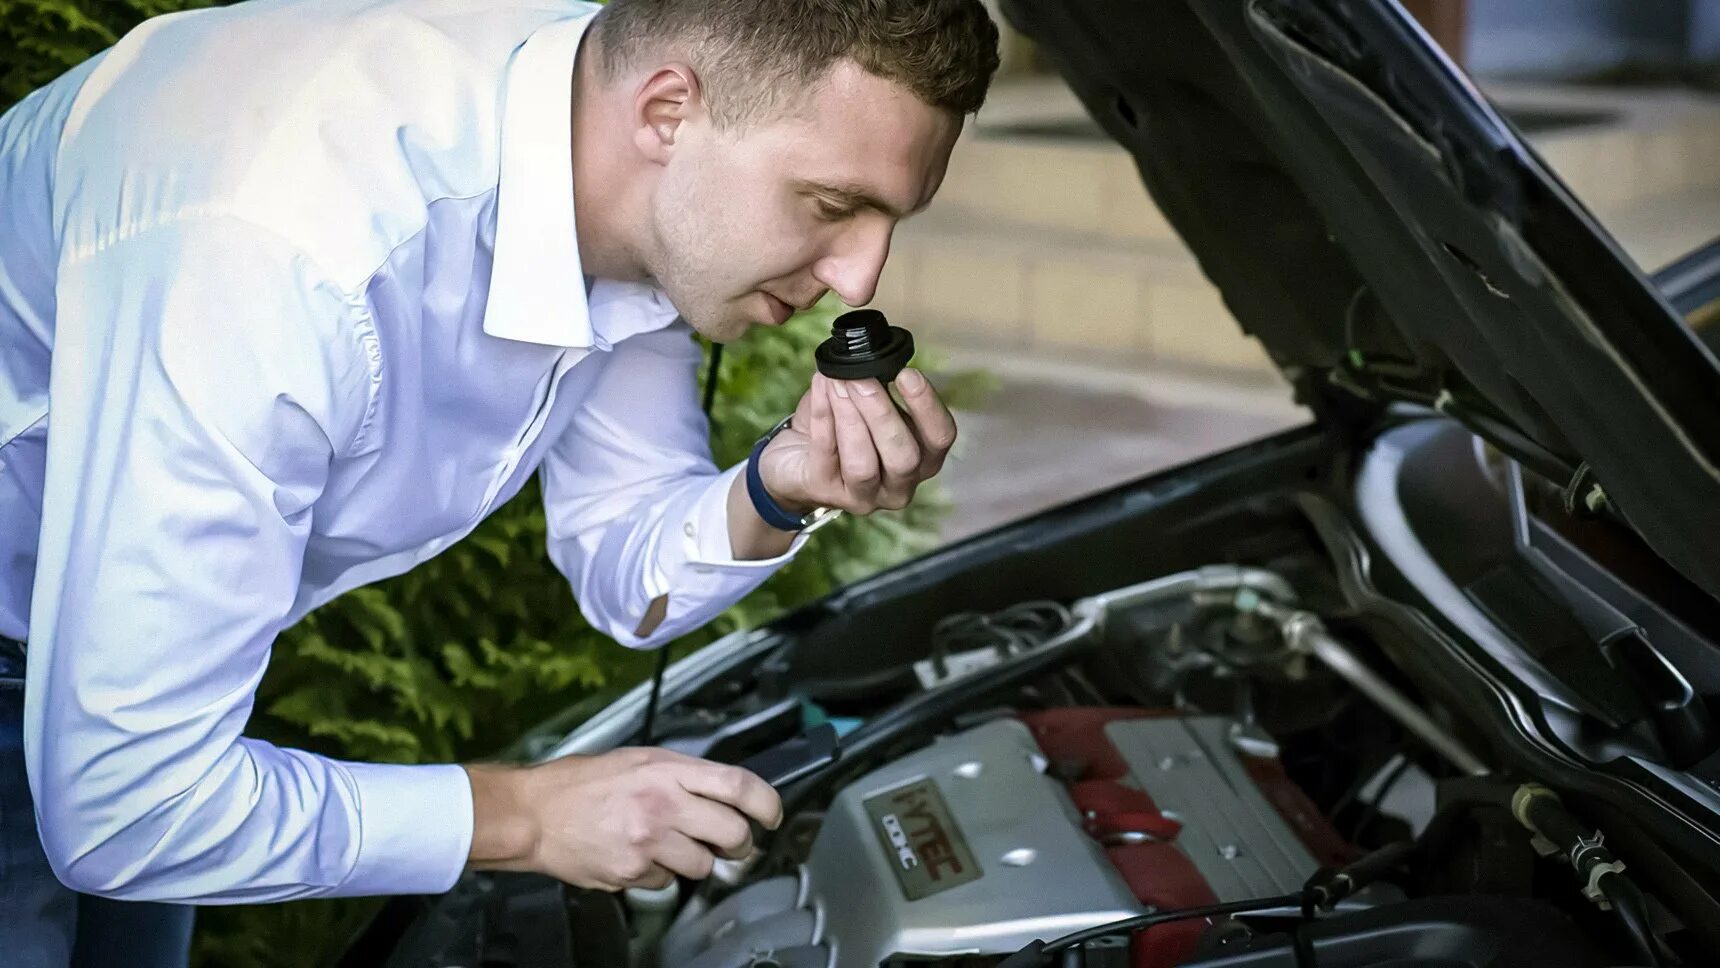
<point x="293" y="293"/>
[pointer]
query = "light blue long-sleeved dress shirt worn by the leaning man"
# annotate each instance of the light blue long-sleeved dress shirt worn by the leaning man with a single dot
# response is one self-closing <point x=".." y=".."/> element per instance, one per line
<point x="290" y="302"/>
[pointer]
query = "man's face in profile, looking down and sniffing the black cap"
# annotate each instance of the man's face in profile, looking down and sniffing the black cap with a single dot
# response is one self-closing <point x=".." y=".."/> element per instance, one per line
<point x="754" y="223"/>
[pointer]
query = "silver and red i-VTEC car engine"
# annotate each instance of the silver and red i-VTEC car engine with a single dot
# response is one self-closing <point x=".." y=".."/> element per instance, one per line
<point x="1028" y="828"/>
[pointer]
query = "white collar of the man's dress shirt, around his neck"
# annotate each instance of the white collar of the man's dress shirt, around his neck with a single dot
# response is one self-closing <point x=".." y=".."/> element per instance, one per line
<point x="539" y="291"/>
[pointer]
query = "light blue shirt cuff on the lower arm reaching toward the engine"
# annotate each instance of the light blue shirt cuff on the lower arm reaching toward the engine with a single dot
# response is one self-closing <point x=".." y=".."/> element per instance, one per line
<point x="414" y="826"/>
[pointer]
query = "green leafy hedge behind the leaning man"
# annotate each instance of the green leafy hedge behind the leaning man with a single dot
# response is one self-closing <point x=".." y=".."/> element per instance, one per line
<point x="482" y="644"/>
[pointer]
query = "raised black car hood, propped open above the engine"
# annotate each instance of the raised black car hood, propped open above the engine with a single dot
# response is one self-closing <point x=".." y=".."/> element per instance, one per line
<point x="1389" y="236"/>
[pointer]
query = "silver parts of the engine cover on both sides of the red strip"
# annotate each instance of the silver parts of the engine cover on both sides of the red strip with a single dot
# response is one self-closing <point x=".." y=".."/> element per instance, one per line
<point x="969" y="849"/>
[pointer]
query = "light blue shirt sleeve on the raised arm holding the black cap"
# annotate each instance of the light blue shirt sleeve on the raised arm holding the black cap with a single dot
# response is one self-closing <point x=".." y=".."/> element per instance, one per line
<point x="636" y="505"/>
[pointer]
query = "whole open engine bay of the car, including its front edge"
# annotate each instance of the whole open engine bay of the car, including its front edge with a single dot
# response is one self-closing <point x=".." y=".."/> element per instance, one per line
<point x="1119" y="754"/>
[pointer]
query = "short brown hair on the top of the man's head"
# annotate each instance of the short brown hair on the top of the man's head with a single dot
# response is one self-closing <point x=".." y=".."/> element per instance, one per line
<point x="756" y="56"/>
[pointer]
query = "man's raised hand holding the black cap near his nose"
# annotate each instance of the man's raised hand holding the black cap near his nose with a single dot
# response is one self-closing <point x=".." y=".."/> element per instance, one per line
<point x="852" y="448"/>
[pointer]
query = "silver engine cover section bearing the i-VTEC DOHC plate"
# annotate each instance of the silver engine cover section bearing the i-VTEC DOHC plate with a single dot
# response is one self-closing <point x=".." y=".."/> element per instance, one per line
<point x="1000" y="862"/>
